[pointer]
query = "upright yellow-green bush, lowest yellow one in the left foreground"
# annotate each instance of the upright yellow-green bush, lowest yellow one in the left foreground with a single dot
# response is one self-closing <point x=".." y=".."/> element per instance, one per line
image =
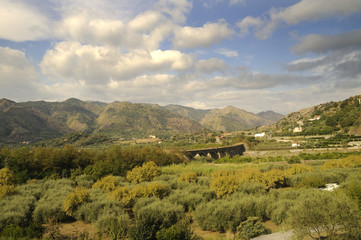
<point x="75" y="199"/>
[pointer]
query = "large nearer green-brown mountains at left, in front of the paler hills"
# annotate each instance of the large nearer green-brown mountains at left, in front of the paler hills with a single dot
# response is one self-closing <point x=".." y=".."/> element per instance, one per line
<point x="40" y="120"/>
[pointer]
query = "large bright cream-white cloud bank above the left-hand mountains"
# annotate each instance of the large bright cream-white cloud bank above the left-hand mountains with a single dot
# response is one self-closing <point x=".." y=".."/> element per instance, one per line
<point x="99" y="64"/>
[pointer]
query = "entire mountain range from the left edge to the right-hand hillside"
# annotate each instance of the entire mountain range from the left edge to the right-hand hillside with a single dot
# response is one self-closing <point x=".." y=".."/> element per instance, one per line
<point x="40" y="120"/>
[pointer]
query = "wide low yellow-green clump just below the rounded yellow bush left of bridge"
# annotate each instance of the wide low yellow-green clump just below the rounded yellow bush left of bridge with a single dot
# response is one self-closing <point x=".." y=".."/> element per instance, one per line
<point x="128" y="196"/>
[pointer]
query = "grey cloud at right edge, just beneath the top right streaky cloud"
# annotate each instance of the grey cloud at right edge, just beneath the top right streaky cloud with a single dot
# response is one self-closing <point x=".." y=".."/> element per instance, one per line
<point x="315" y="43"/>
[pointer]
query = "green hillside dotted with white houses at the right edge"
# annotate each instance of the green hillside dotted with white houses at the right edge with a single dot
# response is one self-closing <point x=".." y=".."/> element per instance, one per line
<point x="327" y="118"/>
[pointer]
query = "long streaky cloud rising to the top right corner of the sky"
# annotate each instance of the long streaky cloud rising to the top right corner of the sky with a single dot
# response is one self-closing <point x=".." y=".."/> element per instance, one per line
<point x="305" y="10"/>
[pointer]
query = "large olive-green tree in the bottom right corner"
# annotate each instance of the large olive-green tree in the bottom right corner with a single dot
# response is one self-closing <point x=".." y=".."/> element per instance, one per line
<point x="321" y="211"/>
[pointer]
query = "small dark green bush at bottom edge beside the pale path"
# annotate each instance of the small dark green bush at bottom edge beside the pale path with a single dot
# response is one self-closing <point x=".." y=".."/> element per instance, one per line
<point x="251" y="228"/>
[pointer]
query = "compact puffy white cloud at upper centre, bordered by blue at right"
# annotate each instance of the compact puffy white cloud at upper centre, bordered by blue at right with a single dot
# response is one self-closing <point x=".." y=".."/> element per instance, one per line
<point x="210" y="33"/>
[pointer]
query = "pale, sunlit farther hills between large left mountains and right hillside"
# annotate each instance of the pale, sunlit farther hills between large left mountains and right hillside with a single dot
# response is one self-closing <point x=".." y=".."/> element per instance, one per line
<point x="228" y="119"/>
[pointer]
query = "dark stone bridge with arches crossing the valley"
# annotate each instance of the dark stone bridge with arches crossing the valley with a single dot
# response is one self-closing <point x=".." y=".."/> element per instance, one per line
<point x="216" y="153"/>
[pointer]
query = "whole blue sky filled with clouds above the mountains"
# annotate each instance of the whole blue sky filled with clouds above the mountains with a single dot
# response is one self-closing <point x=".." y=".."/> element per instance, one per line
<point x="256" y="55"/>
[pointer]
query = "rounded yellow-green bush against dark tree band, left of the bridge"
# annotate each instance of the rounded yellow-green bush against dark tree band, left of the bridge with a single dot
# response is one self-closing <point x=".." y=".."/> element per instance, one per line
<point x="147" y="172"/>
